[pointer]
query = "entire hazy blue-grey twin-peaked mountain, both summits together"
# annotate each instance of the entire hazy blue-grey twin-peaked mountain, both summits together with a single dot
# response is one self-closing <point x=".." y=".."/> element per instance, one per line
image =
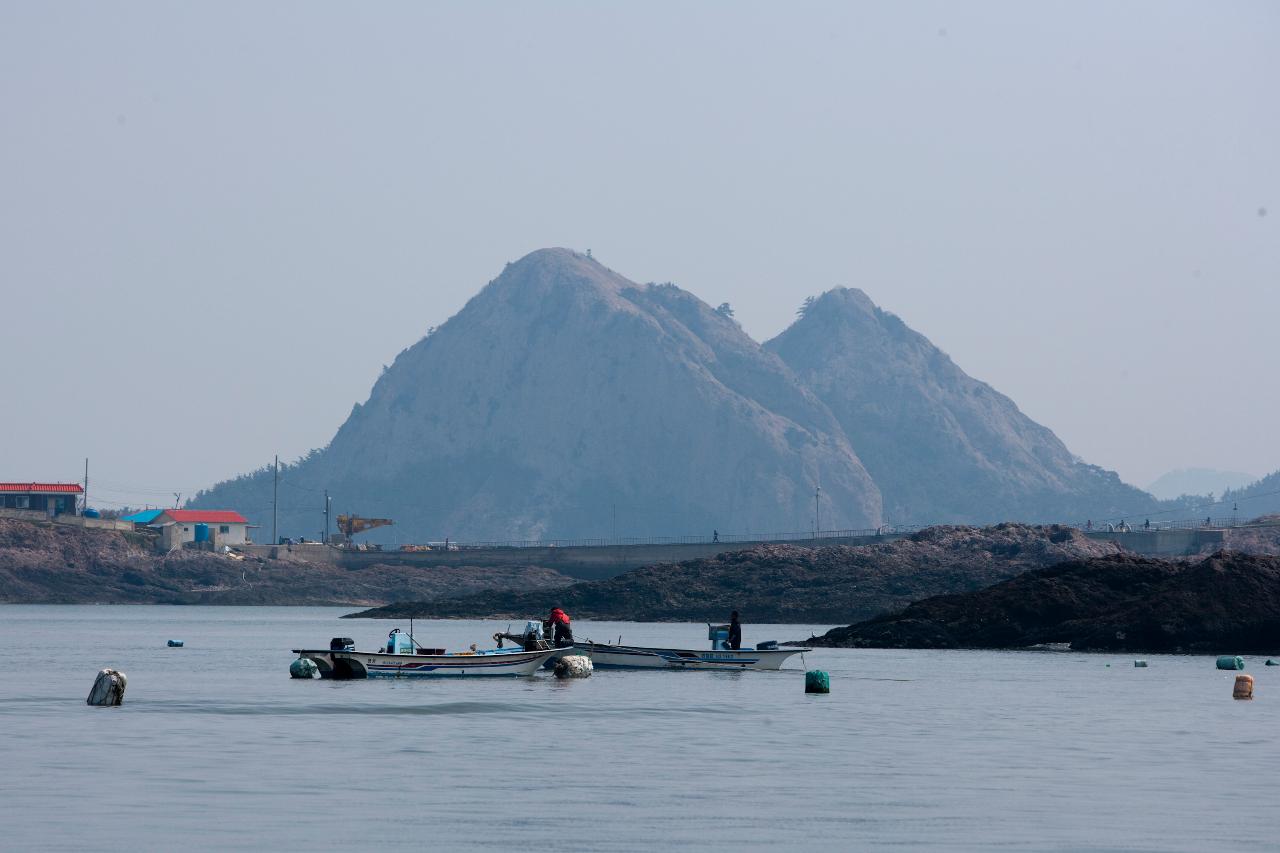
<point x="566" y="402"/>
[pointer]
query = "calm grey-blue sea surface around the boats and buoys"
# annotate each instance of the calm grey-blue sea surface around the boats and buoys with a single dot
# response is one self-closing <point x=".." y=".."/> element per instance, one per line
<point x="217" y="749"/>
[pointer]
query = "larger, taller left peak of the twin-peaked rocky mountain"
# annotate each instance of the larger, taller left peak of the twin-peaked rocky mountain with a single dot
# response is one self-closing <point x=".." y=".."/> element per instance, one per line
<point x="564" y="396"/>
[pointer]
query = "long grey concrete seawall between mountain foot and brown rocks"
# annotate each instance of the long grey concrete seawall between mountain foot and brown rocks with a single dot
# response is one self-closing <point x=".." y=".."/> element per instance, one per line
<point x="593" y="563"/>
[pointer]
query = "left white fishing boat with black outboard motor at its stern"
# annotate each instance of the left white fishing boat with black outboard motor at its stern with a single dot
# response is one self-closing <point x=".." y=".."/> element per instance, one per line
<point x="404" y="658"/>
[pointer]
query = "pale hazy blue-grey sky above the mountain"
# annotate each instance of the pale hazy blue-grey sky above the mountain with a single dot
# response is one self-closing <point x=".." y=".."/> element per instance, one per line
<point x="220" y="221"/>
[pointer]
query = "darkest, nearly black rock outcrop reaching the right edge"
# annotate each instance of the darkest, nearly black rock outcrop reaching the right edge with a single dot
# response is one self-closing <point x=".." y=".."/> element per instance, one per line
<point x="1228" y="603"/>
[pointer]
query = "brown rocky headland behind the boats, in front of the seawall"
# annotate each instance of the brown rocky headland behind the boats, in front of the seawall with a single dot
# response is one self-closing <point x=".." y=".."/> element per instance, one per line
<point x="789" y="583"/>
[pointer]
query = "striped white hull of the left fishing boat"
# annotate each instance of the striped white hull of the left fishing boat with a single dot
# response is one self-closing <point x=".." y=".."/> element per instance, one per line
<point x="378" y="665"/>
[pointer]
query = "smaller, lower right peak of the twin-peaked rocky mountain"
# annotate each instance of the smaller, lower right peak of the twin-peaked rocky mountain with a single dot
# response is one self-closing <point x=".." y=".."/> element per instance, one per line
<point x="941" y="445"/>
